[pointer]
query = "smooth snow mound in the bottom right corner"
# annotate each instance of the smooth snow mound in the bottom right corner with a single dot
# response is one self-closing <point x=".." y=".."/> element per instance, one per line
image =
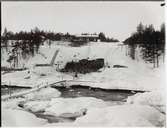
<point x="123" y="116"/>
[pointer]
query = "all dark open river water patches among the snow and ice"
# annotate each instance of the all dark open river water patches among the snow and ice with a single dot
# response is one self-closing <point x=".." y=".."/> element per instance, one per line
<point x="73" y="92"/>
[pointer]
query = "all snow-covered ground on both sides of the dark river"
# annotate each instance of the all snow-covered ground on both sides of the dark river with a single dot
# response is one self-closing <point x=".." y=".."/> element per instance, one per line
<point x="141" y="109"/>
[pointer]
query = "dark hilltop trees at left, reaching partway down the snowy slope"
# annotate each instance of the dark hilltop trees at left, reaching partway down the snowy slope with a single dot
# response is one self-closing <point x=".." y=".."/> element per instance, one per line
<point x="28" y="43"/>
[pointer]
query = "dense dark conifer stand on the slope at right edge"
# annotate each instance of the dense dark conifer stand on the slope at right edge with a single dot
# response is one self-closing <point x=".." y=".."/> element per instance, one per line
<point x="151" y="42"/>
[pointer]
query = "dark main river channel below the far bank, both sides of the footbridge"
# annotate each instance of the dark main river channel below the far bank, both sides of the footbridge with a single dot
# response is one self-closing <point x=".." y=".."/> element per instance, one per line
<point x="78" y="91"/>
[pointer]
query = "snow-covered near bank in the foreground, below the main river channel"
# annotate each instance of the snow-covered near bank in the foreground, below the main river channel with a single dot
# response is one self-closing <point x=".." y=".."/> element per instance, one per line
<point x="97" y="112"/>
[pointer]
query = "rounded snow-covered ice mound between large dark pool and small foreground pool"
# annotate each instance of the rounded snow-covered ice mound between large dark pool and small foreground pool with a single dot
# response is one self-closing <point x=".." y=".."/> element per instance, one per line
<point x="72" y="105"/>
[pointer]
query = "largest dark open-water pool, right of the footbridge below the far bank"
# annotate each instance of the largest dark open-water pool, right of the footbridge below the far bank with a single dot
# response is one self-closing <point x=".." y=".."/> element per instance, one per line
<point x="86" y="91"/>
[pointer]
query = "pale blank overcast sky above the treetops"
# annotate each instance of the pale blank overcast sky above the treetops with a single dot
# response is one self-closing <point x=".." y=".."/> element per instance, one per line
<point x="115" y="19"/>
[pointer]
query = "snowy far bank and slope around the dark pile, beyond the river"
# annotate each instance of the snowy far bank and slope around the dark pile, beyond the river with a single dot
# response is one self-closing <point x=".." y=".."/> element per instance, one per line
<point x="138" y="75"/>
